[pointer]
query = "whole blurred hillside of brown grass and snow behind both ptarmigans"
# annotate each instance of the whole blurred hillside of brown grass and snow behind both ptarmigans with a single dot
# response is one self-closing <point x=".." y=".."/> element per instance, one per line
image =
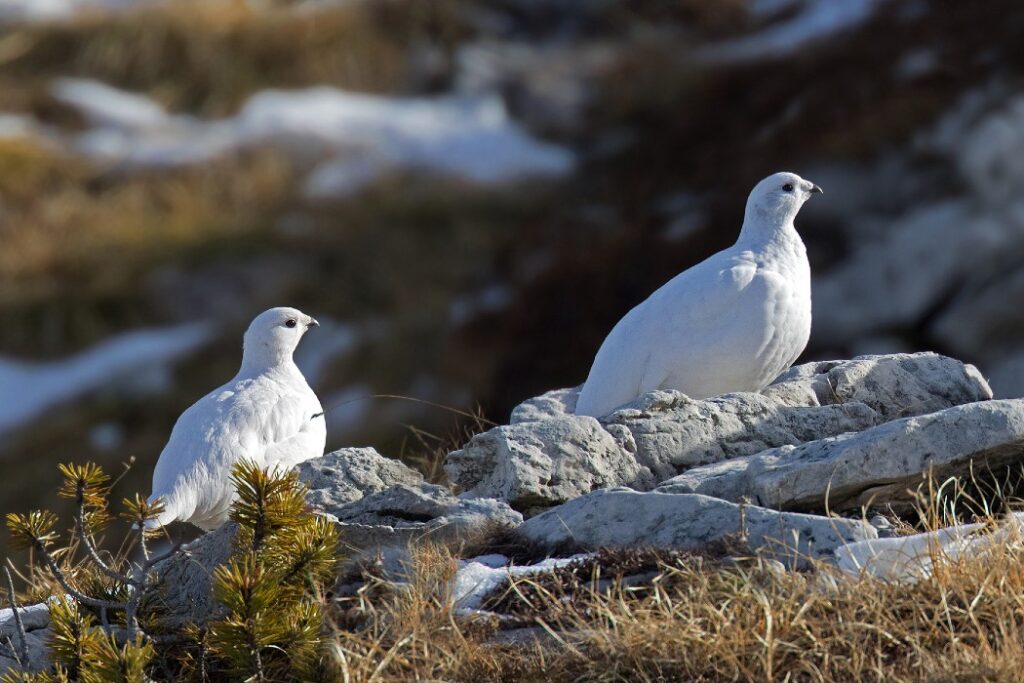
<point x="470" y="194"/>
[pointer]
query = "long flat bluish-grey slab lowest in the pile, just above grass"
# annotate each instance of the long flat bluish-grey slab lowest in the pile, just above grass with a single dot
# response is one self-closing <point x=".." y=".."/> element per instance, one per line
<point x="626" y="519"/>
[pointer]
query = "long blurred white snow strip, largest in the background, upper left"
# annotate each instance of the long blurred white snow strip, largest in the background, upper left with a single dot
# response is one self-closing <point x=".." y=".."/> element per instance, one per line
<point x="355" y="138"/>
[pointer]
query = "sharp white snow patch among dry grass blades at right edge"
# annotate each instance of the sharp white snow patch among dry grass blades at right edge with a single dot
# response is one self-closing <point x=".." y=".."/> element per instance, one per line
<point x="912" y="559"/>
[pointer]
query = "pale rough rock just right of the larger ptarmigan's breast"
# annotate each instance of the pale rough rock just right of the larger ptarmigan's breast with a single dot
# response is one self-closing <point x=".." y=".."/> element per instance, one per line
<point x="894" y="387"/>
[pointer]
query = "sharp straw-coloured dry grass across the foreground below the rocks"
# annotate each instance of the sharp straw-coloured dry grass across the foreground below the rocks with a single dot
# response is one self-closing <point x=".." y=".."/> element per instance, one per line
<point x="699" y="620"/>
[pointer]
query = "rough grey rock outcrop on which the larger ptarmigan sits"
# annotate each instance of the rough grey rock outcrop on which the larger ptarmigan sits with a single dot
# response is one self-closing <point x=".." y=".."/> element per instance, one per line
<point x="548" y="456"/>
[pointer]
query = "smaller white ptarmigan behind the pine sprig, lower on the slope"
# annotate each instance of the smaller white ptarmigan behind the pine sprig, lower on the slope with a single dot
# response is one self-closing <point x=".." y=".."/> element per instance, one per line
<point x="268" y="414"/>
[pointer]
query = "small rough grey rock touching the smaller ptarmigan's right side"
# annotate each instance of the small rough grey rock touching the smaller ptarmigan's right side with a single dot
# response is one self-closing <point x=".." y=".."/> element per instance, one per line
<point x="347" y="476"/>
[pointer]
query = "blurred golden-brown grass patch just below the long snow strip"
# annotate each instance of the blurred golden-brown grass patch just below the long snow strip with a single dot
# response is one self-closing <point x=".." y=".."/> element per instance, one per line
<point x="64" y="219"/>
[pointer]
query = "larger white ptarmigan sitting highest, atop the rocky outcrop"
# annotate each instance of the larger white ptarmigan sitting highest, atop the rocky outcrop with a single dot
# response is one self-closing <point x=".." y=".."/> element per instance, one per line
<point x="732" y="323"/>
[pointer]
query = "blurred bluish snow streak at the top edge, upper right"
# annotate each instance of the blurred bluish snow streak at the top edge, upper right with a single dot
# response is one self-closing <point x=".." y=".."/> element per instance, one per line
<point x="817" y="20"/>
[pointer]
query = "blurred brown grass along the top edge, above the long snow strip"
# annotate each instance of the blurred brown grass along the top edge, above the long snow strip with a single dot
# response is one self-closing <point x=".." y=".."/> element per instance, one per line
<point x="207" y="58"/>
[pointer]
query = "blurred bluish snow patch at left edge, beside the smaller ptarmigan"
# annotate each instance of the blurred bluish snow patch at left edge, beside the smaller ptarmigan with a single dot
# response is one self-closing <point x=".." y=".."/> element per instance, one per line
<point x="129" y="361"/>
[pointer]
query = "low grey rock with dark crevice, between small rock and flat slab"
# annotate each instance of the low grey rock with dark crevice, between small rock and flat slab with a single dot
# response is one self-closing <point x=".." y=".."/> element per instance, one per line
<point x="403" y="515"/>
